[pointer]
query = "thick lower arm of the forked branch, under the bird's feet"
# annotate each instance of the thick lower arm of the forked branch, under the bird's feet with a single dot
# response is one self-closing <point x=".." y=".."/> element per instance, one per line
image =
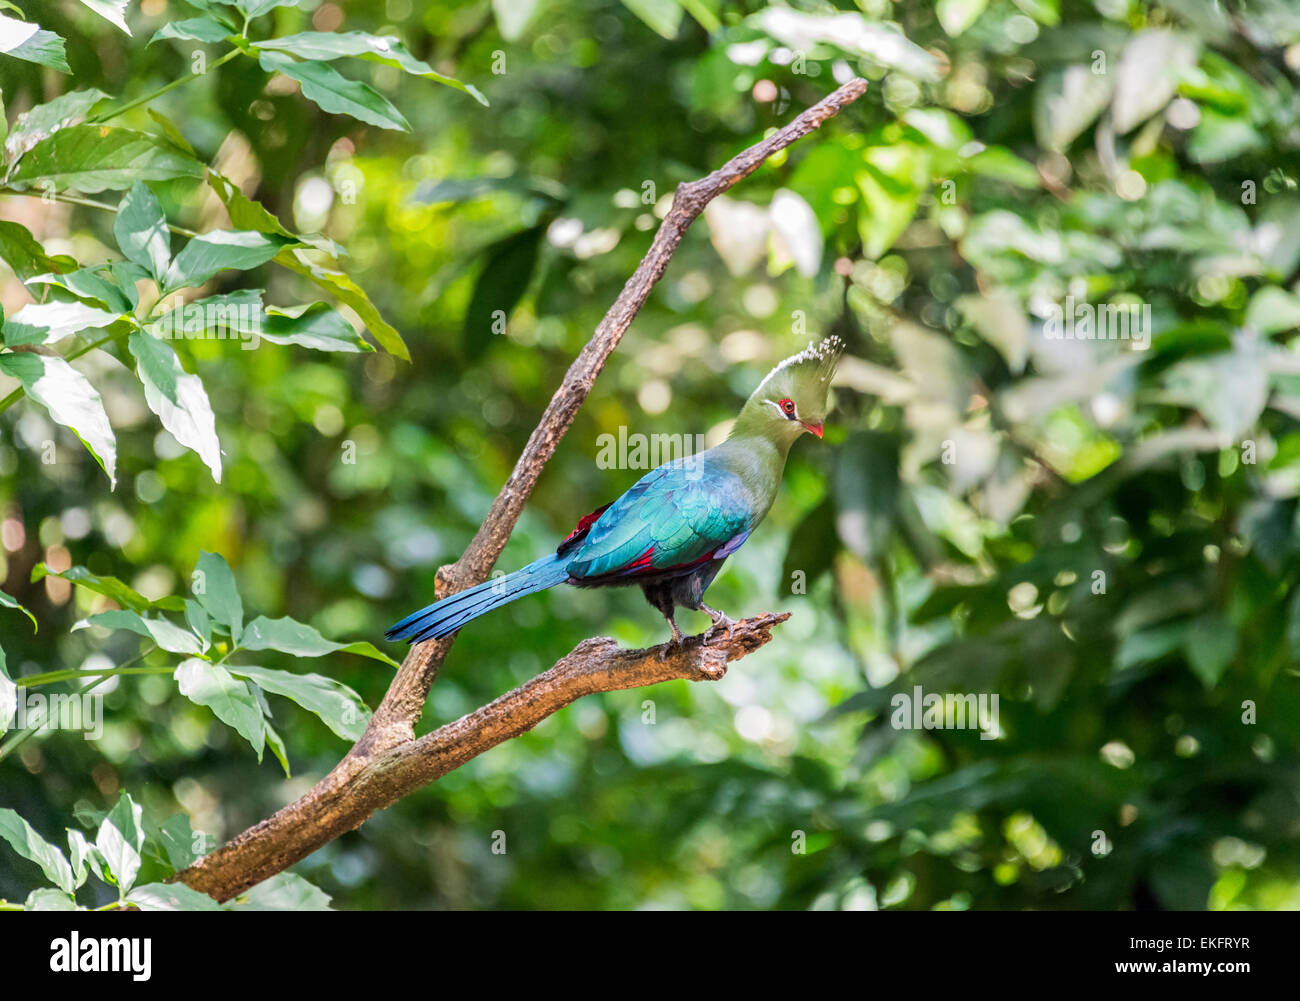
<point x="359" y="787"/>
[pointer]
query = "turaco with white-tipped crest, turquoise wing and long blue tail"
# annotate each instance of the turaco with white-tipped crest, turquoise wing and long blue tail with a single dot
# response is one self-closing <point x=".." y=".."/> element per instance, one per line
<point x="673" y="531"/>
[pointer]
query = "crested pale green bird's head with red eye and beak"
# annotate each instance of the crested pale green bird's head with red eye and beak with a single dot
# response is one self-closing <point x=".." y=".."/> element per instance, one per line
<point x="795" y="397"/>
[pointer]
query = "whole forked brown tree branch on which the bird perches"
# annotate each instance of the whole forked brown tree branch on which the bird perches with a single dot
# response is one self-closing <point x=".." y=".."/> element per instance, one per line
<point x="388" y="762"/>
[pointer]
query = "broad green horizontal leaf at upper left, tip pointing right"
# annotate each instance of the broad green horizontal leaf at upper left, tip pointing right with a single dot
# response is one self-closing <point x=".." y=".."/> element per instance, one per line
<point x="97" y="158"/>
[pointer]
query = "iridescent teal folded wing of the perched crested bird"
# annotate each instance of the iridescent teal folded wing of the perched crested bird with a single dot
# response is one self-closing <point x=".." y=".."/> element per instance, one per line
<point x="673" y="518"/>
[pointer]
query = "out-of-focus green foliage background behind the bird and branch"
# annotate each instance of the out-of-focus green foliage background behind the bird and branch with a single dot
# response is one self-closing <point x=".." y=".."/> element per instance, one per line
<point x="1102" y="532"/>
